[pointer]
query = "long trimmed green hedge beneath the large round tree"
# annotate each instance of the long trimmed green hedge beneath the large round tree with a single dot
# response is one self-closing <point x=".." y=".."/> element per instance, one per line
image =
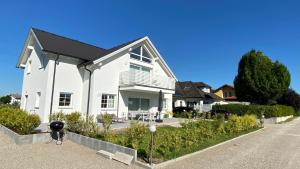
<point x="258" y="110"/>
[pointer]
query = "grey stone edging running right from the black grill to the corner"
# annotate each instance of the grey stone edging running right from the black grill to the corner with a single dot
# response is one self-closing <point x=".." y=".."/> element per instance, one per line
<point x="100" y="145"/>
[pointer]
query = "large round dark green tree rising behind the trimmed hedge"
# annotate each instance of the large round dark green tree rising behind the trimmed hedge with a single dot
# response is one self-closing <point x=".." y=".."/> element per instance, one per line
<point x="259" y="80"/>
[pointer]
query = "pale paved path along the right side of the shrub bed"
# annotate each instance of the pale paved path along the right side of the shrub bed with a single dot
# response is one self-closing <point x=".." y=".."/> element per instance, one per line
<point x="275" y="147"/>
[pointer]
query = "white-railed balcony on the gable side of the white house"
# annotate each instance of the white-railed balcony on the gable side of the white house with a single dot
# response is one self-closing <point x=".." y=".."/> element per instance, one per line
<point x="144" y="79"/>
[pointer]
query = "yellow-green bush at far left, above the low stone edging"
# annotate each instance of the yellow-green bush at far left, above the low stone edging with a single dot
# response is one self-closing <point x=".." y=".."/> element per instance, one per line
<point x="18" y="120"/>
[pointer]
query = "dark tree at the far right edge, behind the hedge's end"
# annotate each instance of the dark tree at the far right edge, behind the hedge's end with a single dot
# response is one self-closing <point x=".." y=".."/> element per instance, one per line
<point x="290" y="98"/>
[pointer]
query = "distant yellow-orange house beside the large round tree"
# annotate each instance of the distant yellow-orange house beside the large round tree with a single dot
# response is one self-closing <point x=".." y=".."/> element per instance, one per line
<point x="226" y="92"/>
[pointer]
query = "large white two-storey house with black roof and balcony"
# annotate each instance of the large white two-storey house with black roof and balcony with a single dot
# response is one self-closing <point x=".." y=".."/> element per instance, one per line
<point x="61" y="74"/>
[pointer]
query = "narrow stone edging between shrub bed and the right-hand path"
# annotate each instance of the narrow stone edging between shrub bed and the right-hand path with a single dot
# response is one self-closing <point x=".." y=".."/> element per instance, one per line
<point x="163" y="164"/>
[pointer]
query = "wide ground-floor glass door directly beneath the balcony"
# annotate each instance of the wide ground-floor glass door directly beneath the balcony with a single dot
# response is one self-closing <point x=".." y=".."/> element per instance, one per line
<point x="138" y="104"/>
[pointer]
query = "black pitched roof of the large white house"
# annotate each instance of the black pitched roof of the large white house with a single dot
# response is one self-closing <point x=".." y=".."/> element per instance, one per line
<point x="65" y="46"/>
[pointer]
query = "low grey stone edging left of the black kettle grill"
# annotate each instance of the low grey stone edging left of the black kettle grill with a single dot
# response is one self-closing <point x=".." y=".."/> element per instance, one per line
<point x="25" y="139"/>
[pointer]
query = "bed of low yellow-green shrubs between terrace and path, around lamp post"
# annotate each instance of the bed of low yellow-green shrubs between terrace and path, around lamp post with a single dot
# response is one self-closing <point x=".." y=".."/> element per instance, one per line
<point x="171" y="142"/>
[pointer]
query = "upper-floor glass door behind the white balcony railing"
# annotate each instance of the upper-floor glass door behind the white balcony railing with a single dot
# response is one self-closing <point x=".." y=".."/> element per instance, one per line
<point x="139" y="75"/>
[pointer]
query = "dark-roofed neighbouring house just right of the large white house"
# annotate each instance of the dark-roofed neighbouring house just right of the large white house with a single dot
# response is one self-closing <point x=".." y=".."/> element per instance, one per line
<point x="194" y="95"/>
